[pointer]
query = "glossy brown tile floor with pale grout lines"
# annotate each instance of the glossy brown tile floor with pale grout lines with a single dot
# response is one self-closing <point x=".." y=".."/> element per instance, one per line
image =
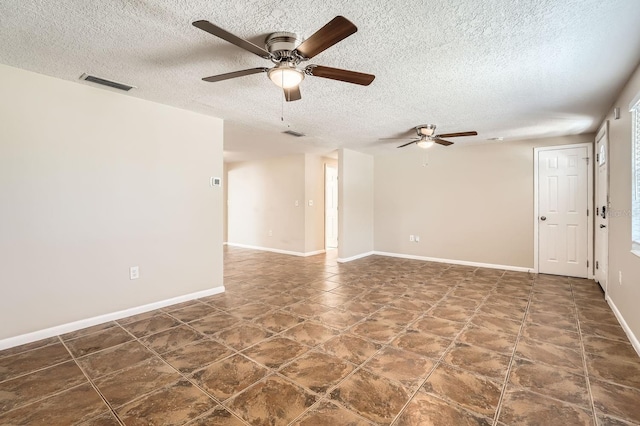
<point x="307" y="341"/>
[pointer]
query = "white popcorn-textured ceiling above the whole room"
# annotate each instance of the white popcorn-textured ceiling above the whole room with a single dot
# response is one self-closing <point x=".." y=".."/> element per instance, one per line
<point x="506" y="68"/>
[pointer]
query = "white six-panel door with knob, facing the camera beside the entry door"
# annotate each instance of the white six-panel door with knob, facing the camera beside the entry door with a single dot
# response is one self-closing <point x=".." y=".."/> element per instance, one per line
<point x="563" y="235"/>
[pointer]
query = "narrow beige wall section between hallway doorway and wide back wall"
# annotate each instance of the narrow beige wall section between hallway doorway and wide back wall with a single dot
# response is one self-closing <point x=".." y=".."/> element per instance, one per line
<point x="355" y="204"/>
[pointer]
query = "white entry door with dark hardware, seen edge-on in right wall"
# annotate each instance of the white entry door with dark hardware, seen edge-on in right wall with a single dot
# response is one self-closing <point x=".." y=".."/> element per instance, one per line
<point x="602" y="207"/>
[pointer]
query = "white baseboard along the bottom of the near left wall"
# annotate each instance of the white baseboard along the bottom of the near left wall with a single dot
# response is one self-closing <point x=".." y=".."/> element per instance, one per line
<point x="89" y="322"/>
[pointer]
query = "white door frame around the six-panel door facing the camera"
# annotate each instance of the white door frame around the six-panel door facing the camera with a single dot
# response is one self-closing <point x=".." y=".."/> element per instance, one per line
<point x="536" y="226"/>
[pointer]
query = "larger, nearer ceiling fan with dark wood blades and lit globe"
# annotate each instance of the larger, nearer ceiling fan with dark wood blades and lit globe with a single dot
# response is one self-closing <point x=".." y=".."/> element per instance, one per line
<point x="283" y="50"/>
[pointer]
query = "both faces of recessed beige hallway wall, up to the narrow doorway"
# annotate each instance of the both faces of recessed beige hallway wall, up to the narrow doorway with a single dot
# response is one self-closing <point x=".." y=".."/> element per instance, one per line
<point x="262" y="196"/>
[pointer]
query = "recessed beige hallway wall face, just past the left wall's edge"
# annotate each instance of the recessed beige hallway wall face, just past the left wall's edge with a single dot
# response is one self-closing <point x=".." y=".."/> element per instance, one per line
<point x="262" y="196"/>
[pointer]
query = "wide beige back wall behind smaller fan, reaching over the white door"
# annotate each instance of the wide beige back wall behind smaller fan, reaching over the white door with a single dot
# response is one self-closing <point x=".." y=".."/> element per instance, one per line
<point x="470" y="203"/>
